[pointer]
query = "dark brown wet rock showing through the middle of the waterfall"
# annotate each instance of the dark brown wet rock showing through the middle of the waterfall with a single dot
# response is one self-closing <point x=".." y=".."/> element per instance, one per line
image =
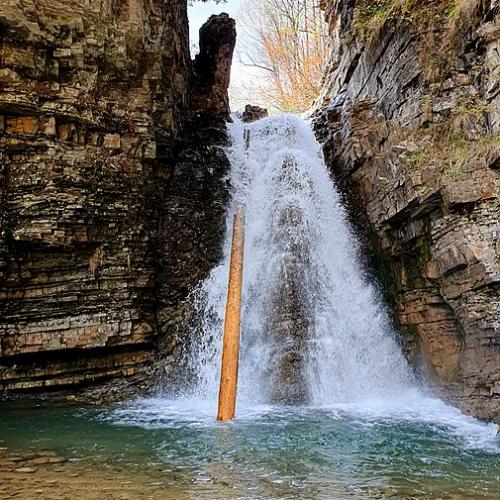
<point x="290" y="309"/>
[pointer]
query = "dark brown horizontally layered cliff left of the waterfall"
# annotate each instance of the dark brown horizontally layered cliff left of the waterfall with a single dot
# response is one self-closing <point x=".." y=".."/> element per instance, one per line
<point x="100" y="156"/>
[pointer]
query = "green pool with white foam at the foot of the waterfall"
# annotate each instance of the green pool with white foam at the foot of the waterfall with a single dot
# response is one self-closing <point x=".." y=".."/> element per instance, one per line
<point x="412" y="448"/>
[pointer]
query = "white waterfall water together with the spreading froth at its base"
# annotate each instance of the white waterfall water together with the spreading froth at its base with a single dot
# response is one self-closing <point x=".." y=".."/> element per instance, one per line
<point x="355" y="368"/>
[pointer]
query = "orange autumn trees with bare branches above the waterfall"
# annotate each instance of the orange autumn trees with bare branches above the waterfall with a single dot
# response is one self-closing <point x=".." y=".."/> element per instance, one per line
<point x="288" y="40"/>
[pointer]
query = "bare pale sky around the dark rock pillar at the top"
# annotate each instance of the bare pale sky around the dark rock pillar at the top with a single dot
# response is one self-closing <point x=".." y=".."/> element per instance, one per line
<point x="244" y="80"/>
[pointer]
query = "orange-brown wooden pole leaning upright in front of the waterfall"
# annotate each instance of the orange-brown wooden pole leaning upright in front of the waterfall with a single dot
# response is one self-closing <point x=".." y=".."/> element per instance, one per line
<point x="231" y="345"/>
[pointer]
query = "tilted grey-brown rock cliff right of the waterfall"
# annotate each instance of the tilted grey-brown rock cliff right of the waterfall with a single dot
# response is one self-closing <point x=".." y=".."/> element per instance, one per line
<point x="417" y="157"/>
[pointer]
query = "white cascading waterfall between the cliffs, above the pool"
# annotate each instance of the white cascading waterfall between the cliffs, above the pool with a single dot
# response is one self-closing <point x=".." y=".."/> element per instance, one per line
<point x="306" y="299"/>
